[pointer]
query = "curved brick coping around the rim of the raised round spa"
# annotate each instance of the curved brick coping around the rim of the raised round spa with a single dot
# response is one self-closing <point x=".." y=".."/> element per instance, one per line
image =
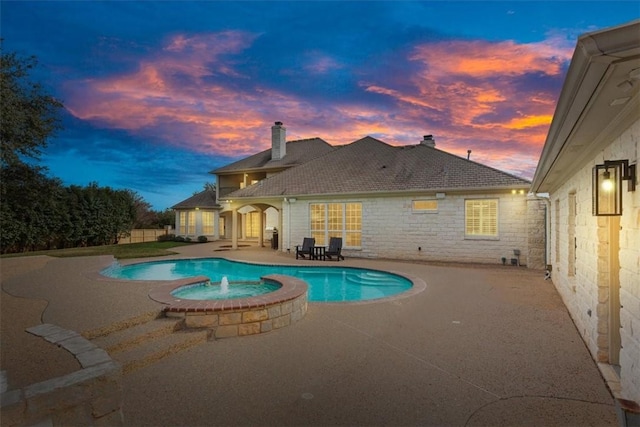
<point x="290" y="289"/>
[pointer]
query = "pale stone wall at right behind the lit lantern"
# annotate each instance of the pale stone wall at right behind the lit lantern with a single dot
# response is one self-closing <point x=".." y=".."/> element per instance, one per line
<point x="585" y="287"/>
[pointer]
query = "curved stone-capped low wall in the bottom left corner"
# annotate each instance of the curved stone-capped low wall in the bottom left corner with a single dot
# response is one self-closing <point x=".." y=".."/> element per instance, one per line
<point x="91" y="396"/>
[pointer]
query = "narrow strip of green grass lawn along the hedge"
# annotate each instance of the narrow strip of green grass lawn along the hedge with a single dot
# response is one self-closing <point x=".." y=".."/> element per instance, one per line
<point x="132" y="250"/>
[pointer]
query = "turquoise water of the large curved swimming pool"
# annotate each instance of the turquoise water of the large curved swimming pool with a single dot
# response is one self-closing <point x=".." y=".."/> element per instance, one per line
<point x="326" y="284"/>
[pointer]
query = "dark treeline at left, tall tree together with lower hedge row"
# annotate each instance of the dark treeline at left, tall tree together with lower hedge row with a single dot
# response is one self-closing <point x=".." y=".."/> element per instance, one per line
<point x="36" y="211"/>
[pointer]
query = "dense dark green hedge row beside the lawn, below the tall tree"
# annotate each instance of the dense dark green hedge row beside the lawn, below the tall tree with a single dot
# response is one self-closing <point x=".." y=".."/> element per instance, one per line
<point x="38" y="212"/>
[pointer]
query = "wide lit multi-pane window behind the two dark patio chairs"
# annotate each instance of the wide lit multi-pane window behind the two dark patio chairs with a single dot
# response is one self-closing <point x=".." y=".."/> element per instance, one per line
<point x="337" y="220"/>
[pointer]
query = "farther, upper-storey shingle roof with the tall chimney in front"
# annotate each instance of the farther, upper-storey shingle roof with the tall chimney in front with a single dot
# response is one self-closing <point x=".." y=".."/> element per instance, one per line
<point x="298" y="152"/>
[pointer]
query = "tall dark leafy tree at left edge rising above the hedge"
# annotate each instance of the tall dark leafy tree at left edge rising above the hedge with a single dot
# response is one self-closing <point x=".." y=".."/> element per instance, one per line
<point x="29" y="212"/>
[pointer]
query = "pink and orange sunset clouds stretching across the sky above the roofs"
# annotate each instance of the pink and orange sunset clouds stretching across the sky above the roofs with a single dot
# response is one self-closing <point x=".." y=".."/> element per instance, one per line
<point x="469" y="94"/>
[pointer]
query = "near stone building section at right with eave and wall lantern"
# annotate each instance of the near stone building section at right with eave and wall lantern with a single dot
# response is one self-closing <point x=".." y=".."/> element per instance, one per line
<point x="594" y="231"/>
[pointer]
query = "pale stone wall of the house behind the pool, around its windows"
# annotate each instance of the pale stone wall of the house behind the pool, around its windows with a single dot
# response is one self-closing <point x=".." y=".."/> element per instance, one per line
<point x="391" y="229"/>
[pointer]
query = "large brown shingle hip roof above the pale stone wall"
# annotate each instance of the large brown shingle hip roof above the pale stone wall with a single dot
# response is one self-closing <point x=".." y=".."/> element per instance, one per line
<point x="369" y="165"/>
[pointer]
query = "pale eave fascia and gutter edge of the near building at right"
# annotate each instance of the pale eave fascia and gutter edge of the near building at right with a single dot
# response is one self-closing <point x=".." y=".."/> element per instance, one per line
<point x="594" y="54"/>
